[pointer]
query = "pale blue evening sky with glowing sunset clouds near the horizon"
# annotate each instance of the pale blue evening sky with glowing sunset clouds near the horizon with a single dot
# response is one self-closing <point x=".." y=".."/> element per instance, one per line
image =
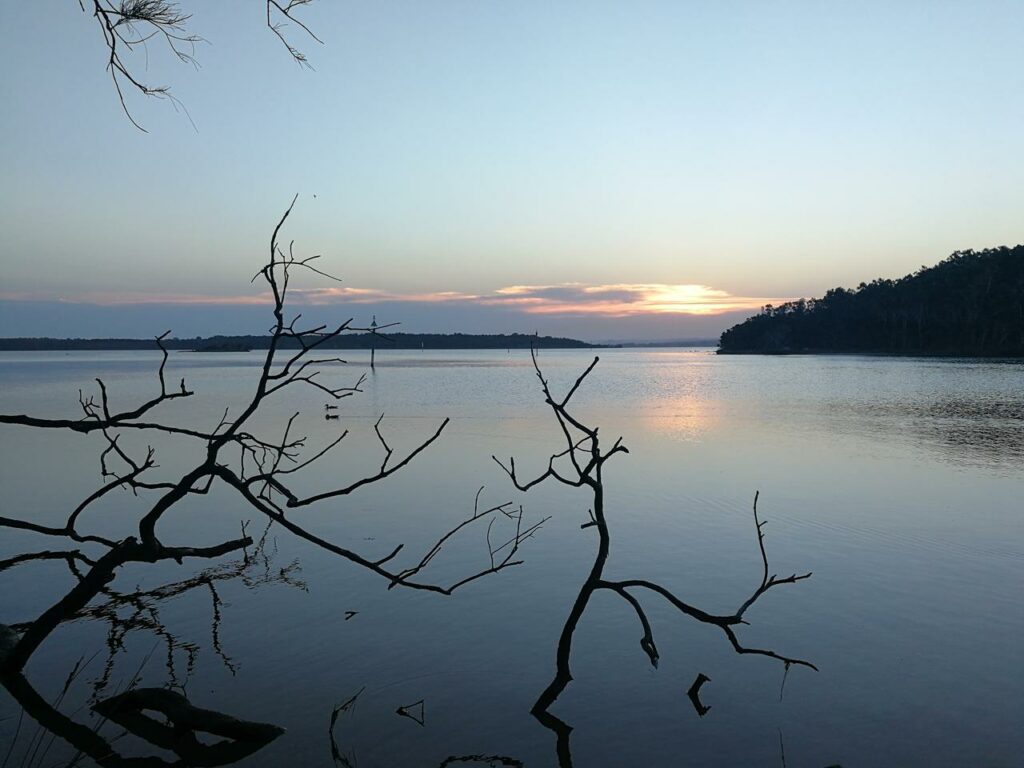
<point x="606" y="170"/>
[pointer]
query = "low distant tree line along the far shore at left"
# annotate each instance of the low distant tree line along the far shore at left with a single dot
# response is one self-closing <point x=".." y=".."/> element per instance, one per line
<point x="354" y="342"/>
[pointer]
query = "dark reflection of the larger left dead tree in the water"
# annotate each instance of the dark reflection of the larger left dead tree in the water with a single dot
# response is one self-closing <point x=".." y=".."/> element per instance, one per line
<point x="139" y="612"/>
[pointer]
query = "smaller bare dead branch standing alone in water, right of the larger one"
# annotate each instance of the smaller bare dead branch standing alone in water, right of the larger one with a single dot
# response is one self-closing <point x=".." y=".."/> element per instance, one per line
<point x="580" y="465"/>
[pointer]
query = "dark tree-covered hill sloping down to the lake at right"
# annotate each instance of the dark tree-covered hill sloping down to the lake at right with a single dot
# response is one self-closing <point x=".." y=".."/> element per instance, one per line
<point x="970" y="305"/>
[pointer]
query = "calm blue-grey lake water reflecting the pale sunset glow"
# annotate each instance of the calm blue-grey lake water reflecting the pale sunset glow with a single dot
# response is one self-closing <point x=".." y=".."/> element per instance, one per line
<point x="900" y="483"/>
